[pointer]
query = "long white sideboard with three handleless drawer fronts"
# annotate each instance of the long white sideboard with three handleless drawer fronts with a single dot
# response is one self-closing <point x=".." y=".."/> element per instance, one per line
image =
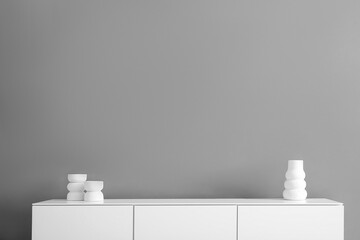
<point x="187" y="219"/>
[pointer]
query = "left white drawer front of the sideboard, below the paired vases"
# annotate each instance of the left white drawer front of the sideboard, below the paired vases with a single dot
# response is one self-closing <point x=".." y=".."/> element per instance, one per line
<point x="82" y="223"/>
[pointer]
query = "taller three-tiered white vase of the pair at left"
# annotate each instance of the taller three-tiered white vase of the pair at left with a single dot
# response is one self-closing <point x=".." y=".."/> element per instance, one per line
<point x="76" y="187"/>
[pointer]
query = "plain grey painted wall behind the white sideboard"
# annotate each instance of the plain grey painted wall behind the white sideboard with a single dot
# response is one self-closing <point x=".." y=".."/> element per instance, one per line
<point x="164" y="99"/>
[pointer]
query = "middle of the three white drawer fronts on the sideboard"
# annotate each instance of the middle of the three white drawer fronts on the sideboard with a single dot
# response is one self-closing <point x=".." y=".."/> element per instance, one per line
<point x="185" y="223"/>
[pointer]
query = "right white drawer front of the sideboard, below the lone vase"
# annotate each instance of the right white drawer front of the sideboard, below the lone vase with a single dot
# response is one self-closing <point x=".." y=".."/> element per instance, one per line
<point x="291" y="223"/>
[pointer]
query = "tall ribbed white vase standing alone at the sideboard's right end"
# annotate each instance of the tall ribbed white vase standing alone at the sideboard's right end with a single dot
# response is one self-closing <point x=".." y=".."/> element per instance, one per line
<point x="295" y="181"/>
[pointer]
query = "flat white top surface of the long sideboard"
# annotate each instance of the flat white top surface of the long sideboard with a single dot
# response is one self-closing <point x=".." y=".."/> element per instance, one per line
<point x="193" y="201"/>
